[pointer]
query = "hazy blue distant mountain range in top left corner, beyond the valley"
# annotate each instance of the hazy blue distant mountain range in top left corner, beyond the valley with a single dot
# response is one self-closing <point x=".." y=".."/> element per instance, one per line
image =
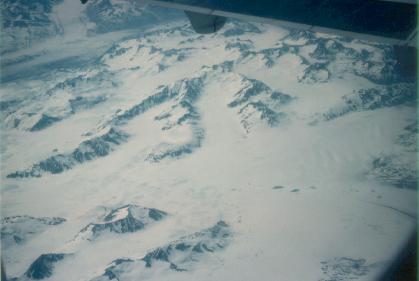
<point x="26" y="23"/>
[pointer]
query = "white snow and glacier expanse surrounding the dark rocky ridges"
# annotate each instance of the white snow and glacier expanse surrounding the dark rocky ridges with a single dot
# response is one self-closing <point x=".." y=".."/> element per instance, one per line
<point x="328" y="206"/>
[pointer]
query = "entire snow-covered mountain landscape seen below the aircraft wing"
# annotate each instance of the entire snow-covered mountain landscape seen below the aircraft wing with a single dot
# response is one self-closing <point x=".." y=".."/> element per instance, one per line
<point x="133" y="148"/>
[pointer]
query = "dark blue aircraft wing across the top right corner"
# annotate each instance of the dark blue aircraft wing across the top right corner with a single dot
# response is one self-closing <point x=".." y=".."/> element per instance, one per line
<point x="392" y="22"/>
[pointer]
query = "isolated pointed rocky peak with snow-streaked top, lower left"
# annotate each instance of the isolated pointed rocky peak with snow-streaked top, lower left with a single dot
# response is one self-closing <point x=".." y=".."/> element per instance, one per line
<point x="128" y="218"/>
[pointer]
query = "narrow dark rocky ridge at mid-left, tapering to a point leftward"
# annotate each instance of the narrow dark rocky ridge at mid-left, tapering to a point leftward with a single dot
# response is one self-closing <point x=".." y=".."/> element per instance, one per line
<point x="88" y="150"/>
